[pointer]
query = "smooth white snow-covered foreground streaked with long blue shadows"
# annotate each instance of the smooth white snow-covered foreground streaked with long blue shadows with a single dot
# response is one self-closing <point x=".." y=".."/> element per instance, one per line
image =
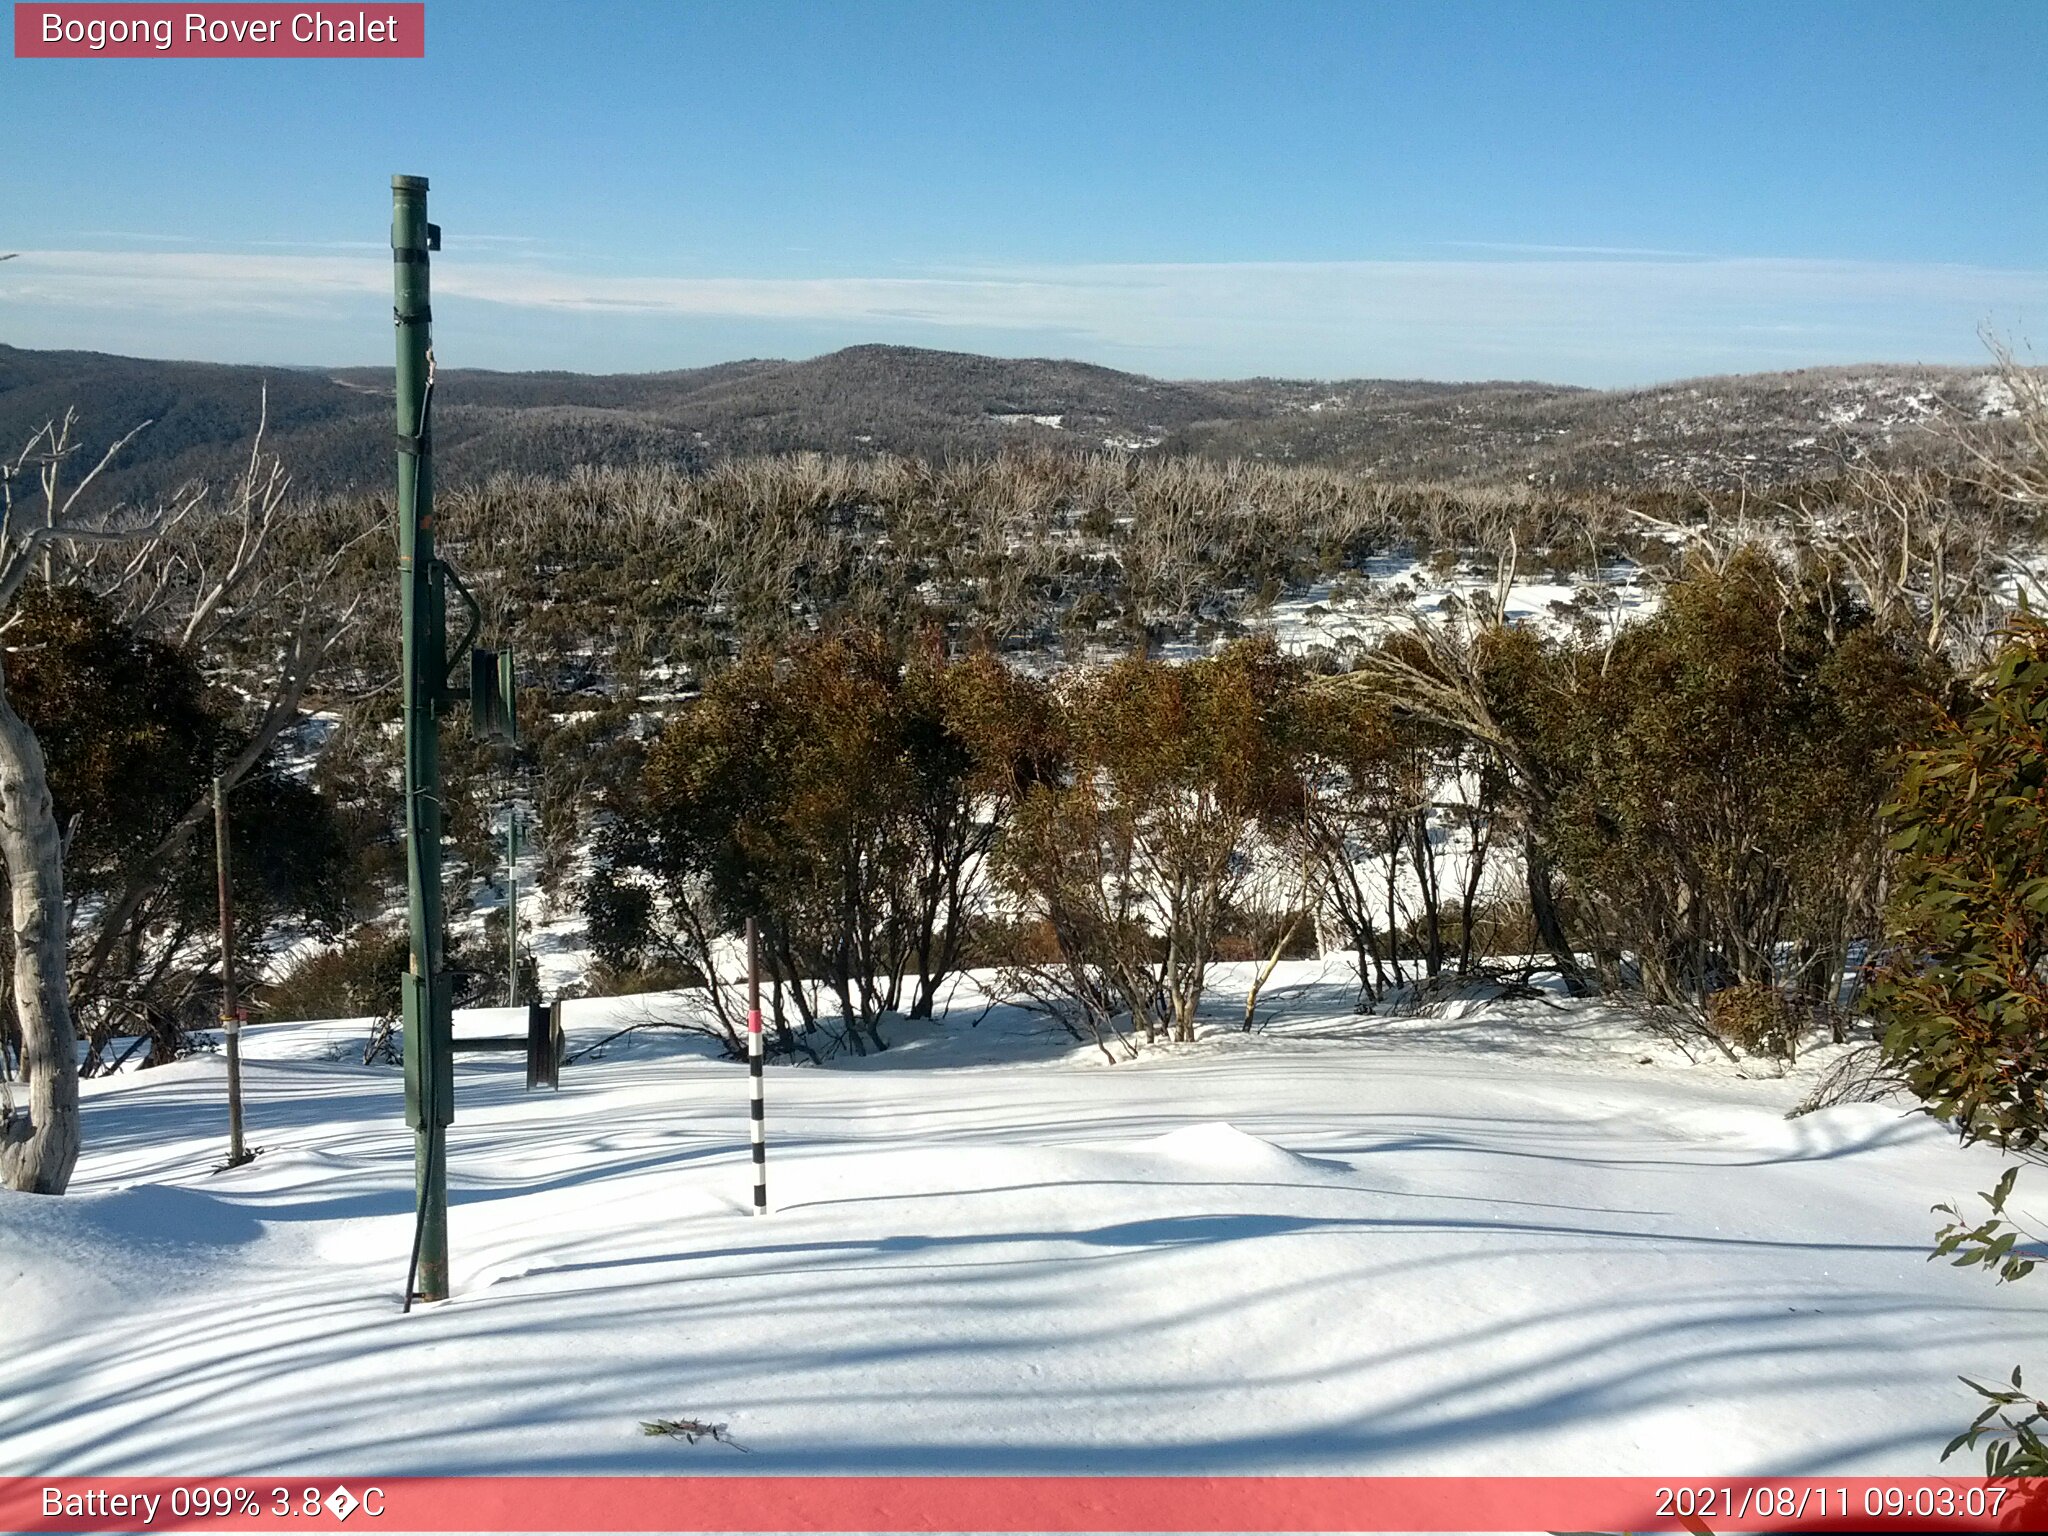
<point x="1506" y="1238"/>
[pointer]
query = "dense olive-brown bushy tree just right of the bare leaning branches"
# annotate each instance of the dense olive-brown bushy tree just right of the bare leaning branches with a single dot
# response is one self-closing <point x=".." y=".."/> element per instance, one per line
<point x="1719" y="781"/>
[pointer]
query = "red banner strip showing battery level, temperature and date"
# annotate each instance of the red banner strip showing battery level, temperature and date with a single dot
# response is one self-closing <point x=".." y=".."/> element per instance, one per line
<point x="1017" y="1504"/>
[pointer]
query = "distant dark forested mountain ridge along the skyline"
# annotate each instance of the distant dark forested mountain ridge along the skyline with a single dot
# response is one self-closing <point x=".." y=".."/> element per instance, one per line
<point x="335" y="429"/>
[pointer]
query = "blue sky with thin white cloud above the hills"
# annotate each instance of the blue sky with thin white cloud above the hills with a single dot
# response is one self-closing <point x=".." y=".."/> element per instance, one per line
<point x="1590" y="194"/>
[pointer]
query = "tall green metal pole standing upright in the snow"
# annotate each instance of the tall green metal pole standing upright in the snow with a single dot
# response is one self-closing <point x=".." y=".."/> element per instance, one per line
<point x="429" y="1017"/>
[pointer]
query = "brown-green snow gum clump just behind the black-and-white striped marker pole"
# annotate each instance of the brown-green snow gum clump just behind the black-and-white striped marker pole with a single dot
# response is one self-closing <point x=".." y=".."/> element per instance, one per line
<point x="847" y="798"/>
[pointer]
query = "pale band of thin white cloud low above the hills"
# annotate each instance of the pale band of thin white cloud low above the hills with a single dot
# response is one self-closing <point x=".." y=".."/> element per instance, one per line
<point x="1584" y="318"/>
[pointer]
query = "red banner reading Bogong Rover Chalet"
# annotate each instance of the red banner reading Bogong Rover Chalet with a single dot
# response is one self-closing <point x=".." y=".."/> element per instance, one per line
<point x="368" y="30"/>
